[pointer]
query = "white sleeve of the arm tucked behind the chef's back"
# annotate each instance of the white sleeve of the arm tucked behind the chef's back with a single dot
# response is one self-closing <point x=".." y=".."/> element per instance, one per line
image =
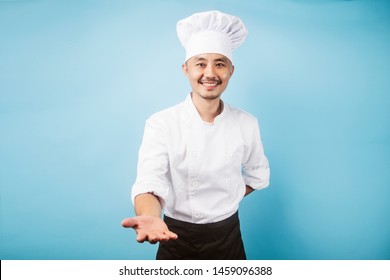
<point x="255" y="168"/>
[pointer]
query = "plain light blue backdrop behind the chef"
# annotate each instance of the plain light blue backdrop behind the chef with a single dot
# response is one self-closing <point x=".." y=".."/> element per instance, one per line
<point x="79" y="78"/>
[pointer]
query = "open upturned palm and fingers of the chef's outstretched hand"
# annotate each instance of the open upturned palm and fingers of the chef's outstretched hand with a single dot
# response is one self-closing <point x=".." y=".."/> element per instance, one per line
<point x="149" y="228"/>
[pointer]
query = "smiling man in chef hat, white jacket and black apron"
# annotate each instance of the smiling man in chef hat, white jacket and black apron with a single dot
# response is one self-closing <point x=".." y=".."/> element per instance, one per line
<point x="199" y="158"/>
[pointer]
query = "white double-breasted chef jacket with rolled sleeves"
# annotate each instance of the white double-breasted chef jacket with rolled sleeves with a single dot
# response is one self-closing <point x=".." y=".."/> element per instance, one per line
<point x="199" y="170"/>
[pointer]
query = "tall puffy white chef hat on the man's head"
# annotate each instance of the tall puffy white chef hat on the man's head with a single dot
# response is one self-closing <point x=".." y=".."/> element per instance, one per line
<point x="211" y="32"/>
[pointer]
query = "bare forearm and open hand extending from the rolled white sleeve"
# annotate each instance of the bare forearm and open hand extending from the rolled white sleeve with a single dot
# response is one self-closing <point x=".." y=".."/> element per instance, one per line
<point x="148" y="223"/>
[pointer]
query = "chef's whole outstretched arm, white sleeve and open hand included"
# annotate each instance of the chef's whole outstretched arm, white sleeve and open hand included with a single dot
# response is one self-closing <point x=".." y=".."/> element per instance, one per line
<point x="151" y="186"/>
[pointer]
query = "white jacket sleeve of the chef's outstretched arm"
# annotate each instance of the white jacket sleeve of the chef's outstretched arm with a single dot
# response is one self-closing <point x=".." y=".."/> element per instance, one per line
<point x="153" y="163"/>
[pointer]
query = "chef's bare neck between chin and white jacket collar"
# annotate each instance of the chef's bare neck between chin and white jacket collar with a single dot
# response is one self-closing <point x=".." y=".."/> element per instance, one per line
<point x="208" y="109"/>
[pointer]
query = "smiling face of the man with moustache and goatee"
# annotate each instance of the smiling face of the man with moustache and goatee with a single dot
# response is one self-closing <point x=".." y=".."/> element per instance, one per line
<point x="208" y="74"/>
